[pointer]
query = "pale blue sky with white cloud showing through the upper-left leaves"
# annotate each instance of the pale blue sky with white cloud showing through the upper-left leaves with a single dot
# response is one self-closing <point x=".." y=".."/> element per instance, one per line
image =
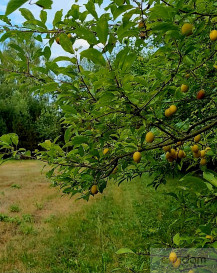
<point x="17" y="18"/>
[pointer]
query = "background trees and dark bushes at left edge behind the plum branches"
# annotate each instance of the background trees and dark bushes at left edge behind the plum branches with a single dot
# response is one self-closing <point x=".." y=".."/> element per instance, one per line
<point x="33" y="118"/>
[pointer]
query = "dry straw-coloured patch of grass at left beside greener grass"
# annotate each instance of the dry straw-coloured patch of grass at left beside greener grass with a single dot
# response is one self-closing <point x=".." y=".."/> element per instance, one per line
<point x="25" y="192"/>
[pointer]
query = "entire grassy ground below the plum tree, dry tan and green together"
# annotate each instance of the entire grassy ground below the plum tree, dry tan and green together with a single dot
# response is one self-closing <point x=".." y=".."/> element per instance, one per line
<point x="43" y="231"/>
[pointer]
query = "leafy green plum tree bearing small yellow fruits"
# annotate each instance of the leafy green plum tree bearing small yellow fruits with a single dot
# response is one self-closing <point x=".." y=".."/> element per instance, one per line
<point x="113" y="91"/>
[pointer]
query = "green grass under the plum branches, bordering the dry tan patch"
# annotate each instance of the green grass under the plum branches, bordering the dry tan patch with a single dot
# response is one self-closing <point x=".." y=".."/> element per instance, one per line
<point x="130" y="216"/>
